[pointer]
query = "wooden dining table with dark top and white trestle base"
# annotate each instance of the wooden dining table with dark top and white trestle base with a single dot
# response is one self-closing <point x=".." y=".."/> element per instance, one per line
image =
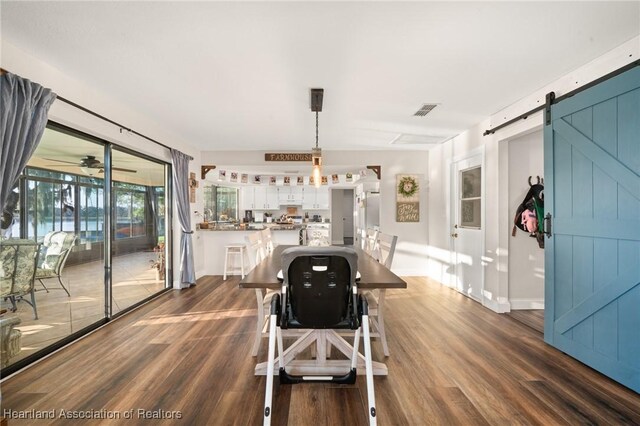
<point x="373" y="276"/>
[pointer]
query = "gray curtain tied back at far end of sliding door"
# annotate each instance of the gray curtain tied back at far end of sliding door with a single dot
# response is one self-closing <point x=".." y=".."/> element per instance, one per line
<point x="181" y="194"/>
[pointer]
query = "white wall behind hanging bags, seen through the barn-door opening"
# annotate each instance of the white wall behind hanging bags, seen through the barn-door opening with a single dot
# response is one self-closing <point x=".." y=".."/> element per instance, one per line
<point x="526" y="259"/>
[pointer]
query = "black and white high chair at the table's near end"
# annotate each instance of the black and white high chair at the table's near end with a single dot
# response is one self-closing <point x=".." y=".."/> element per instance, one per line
<point x="319" y="293"/>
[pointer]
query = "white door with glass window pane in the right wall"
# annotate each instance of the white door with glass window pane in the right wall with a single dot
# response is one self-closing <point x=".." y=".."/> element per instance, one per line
<point x="467" y="210"/>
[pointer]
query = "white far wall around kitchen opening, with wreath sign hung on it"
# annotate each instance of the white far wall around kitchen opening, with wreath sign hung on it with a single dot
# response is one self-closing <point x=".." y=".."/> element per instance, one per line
<point x="411" y="250"/>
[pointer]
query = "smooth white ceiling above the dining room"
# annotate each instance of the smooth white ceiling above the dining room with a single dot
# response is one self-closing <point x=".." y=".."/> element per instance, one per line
<point x="237" y="75"/>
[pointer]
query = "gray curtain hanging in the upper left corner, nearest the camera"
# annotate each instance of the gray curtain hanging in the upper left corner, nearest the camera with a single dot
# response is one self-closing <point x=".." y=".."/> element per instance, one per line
<point x="24" y="106"/>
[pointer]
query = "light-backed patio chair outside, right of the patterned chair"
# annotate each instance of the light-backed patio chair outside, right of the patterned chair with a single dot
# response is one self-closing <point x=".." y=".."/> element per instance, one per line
<point x="56" y="248"/>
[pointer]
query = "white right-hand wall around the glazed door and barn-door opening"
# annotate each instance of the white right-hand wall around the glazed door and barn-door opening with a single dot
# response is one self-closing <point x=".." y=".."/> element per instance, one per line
<point x="498" y="220"/>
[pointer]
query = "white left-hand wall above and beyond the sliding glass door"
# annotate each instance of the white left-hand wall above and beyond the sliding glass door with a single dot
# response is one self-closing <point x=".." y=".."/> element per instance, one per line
<point x="20" y="63"/>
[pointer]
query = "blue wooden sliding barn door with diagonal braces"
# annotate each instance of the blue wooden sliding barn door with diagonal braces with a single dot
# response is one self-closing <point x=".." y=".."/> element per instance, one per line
<point x="592" y="260"/>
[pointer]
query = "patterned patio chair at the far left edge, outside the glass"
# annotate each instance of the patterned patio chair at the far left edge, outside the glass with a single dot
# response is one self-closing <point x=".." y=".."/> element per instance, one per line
<point x="17" y="271"/>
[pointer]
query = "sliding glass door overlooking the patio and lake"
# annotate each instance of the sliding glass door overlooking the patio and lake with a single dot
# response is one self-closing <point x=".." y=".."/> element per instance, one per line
<point x="97" y="216"/>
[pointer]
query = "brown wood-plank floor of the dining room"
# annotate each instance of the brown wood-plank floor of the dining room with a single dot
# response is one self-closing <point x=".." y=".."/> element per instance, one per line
<point x="452" y="362"/>
